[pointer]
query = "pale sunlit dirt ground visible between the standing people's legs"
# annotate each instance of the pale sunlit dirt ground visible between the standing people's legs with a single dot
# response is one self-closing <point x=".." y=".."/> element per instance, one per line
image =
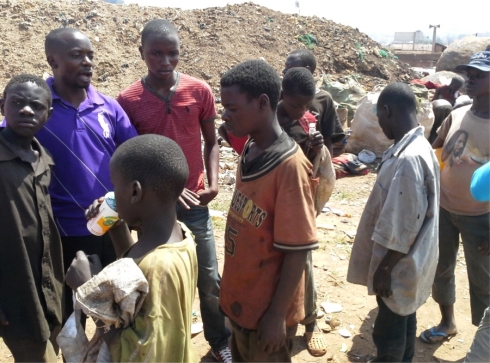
<point x="359" y="310"/>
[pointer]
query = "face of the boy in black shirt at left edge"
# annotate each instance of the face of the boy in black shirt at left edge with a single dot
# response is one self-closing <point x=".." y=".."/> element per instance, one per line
<point x="26" y="109"/>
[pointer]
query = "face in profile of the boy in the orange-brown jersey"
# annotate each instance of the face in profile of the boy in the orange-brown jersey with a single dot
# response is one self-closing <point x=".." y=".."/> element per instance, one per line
<point x="241" y="114"/>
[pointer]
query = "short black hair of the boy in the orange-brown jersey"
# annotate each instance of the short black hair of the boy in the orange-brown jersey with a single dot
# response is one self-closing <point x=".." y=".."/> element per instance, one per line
<point x="254" y="78"/>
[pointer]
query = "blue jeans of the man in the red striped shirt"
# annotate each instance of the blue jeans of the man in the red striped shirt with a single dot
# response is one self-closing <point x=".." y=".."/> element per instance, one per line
<point x="198" y="220"/>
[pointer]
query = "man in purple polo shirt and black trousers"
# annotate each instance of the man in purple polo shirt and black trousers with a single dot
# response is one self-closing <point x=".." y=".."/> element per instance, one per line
<point x="84" y="131"/>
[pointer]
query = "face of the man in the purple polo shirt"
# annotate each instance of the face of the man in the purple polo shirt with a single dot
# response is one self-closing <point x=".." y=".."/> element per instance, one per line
<point x="74" y="61"/>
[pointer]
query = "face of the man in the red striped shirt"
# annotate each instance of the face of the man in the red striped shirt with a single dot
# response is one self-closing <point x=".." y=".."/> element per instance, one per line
<point x="161" y="55"/>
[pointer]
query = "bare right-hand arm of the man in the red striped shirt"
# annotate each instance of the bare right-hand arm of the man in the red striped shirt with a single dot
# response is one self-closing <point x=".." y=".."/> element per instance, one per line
<point x="211" y="161"/>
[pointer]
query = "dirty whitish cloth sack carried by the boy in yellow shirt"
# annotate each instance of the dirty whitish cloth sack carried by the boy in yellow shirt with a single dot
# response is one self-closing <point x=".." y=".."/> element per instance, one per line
<point x="115" y="297"/>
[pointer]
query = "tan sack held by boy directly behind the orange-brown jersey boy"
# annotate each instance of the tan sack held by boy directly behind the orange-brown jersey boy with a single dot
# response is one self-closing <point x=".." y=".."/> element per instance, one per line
<point x="324" y="170"/>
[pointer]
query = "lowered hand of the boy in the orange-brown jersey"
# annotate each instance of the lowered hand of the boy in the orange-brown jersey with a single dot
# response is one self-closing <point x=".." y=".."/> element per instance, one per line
<point x="271" y="332"/>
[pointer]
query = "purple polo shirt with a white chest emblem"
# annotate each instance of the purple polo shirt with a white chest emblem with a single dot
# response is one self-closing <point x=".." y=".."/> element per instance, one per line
<point x="81" y="142"/>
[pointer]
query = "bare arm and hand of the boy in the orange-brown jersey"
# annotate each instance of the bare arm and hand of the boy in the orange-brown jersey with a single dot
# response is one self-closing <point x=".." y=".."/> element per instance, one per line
<point x="272" y="326"/>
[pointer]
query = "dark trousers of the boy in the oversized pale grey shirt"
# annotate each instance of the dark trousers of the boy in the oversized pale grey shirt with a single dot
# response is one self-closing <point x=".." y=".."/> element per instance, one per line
<point x="394" y="335"/>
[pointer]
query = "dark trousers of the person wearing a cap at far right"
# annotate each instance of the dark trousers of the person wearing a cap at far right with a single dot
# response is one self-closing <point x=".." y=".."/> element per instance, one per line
<point x="473" y="230"/>
